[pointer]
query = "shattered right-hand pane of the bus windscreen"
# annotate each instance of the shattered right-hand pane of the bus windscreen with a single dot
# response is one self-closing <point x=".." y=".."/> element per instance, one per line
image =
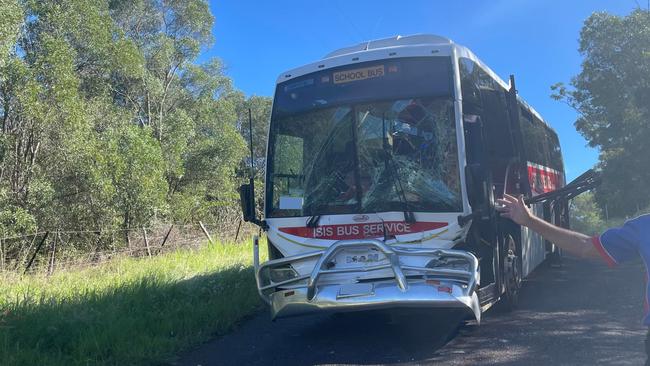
<point x="421" y="142"/>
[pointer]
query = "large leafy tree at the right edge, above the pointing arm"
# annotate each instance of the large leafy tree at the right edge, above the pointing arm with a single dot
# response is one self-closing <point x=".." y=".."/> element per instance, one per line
<point x="611" y="94"/>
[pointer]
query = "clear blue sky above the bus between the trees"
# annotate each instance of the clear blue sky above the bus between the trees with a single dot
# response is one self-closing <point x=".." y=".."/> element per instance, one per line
<point x="535" y="40"/>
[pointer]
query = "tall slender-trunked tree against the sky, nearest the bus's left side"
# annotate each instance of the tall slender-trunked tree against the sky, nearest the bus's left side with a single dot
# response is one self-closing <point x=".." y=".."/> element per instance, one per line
<point x="190" y="108"/>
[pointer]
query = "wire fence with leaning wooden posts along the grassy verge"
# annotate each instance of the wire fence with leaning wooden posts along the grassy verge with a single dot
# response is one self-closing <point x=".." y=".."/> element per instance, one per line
<point x="48" y="251"/>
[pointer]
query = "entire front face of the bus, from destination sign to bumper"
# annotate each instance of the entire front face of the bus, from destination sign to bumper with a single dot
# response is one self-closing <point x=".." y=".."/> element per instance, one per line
<point x="363" y="184"/>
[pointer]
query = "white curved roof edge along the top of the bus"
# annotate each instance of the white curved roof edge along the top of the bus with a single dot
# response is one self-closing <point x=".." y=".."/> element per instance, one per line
<point x="377" y="49"/>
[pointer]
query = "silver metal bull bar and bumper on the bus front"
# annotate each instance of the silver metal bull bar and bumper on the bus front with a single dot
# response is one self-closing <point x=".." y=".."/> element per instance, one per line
<point x="407" y="286"/>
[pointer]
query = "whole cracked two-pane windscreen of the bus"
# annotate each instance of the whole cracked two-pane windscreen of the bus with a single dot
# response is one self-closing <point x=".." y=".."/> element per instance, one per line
<point x="369" y="156"/>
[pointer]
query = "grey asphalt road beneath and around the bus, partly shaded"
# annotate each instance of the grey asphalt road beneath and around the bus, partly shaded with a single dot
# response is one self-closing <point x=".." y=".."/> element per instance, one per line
<point x="579" y="314"/>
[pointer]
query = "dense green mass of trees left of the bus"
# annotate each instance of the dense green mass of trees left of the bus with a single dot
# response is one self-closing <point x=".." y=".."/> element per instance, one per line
<point x="108" y="120"/>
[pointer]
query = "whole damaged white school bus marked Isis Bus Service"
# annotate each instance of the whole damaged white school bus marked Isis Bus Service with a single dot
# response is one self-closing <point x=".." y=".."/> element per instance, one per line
<point x="384" y="161"/>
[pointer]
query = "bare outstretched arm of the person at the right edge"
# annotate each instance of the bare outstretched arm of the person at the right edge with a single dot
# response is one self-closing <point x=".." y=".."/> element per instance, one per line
<point x="573" y="242"/>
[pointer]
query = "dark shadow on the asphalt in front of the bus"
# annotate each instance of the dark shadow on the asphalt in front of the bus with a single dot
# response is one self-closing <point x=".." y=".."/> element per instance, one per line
<point x="364" y="338"/>
